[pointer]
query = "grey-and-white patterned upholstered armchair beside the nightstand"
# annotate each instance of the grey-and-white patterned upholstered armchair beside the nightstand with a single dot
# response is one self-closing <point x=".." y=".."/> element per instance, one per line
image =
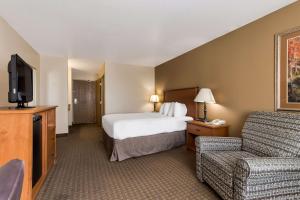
<point x="263" y="164"/>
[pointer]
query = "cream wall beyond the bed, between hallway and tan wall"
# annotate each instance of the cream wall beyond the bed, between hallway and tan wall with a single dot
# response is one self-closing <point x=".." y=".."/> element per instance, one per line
<point x="128" y="88"/>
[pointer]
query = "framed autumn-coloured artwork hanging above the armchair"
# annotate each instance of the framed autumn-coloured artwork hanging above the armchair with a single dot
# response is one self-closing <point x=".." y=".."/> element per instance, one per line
<point x="287" y="70"/>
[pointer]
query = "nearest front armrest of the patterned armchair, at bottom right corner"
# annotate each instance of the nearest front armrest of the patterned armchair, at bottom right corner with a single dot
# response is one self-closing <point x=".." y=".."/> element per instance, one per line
<point x="267" y="177"/>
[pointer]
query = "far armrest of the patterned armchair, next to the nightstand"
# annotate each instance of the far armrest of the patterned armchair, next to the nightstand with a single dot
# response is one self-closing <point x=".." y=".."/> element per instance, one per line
<point x="204" y="143"/>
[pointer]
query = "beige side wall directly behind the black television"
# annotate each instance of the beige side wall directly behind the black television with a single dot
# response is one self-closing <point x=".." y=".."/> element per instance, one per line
<point x="11" y="43"/>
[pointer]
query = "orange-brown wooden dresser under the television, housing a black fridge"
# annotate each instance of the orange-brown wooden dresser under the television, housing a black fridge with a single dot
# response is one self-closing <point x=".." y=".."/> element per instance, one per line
<point x="16" y="142"/>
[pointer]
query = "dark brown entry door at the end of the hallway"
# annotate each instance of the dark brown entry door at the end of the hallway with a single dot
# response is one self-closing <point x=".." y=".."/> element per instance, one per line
<point x="84" y="102"/>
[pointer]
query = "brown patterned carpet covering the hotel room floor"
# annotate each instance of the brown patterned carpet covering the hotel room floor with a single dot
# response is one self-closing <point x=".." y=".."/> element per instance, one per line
<point x="84" y="172"/>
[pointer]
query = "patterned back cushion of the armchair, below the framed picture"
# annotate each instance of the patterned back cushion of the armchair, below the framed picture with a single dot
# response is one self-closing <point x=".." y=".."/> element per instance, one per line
<point x="272" y="134"/>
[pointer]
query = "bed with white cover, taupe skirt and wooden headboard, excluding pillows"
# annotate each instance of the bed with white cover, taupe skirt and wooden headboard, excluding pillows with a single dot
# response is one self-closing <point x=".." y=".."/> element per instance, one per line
<point x="137" y="134"/>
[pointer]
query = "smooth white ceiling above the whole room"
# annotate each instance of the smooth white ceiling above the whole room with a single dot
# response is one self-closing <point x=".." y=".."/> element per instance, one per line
<point x="138" y="32"/>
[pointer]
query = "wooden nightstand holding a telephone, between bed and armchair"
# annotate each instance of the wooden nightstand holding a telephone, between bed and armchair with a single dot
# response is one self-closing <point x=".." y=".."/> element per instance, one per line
<point x="198" y="128"/>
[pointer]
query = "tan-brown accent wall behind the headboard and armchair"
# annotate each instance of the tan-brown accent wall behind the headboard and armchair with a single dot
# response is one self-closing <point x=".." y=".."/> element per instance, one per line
<point x="238" y="67"/>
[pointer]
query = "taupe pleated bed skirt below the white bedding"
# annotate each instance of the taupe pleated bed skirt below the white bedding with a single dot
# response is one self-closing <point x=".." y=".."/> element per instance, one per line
<point x="119" y="150"/>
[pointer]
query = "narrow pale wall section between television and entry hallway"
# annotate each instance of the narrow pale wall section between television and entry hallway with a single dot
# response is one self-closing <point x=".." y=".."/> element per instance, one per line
<point x="54" y="88"/>
